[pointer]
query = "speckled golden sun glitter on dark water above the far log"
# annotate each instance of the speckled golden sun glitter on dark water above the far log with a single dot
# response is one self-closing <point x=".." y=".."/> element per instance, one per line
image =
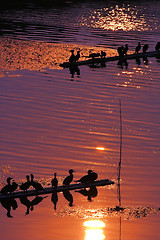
<point x="116" y="18"/>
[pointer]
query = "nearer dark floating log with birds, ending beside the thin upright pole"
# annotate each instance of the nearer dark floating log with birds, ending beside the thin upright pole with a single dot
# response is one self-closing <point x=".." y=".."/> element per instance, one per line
<point x="48" y="190"/>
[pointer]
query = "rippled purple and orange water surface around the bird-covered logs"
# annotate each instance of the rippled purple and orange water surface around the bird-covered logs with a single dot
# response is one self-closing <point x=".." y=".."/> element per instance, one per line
<point x="53" y="119"/>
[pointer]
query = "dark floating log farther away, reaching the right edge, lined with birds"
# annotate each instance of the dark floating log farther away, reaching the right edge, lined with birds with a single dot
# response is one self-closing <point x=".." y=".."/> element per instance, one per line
<point x="107" y="59"/>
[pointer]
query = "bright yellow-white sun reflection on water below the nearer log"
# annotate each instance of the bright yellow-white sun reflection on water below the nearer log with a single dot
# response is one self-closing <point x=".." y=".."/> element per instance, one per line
<point x="94" y="230"/>
